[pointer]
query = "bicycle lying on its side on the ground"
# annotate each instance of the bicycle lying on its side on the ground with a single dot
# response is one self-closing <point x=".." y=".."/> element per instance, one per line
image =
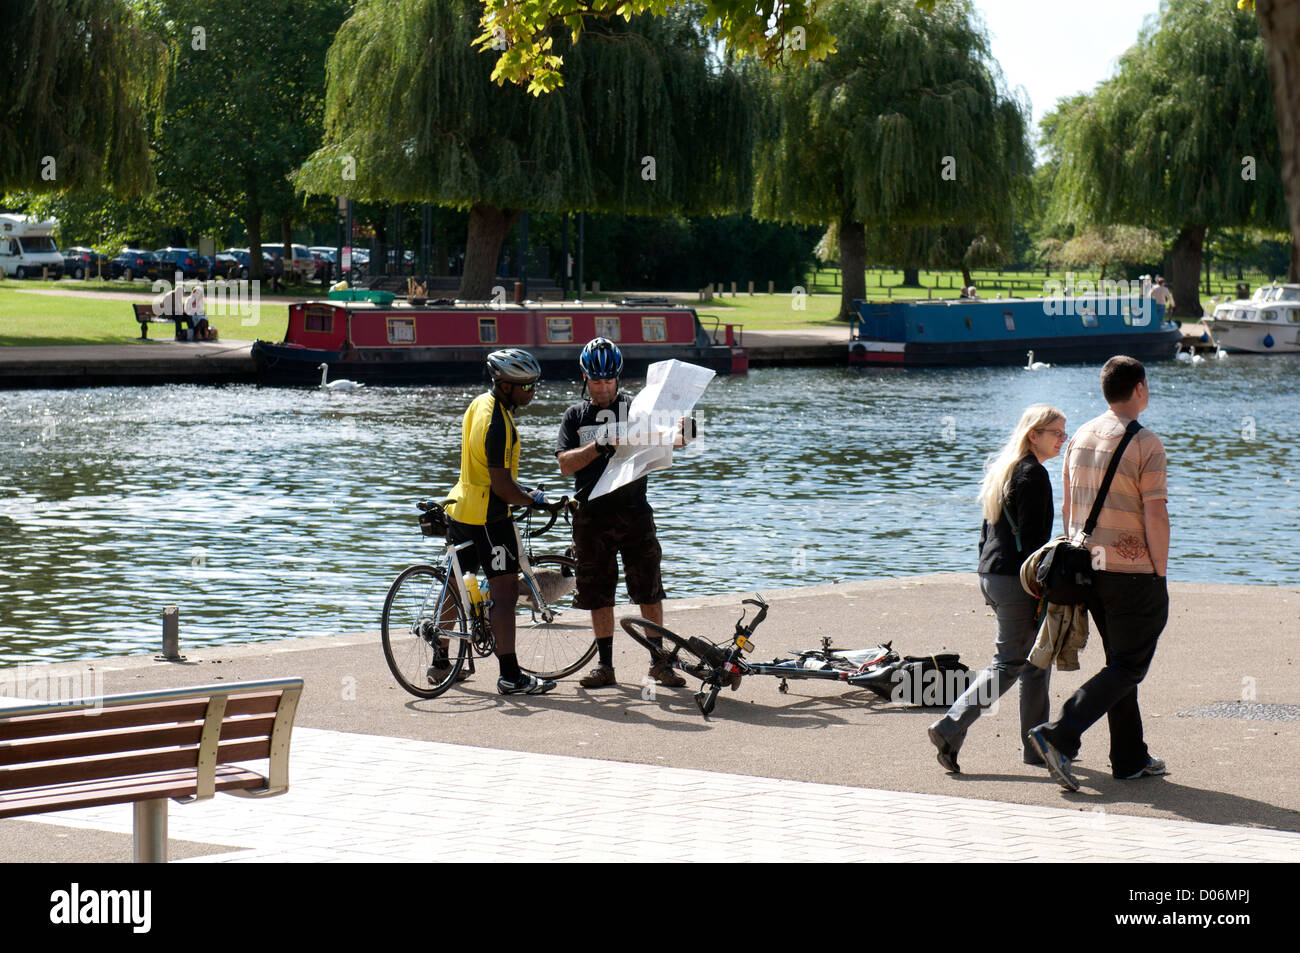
<point x="879" y="670"/>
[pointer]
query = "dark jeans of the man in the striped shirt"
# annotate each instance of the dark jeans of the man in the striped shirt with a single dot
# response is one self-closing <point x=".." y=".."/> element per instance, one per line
<point x="1130" y="612"/>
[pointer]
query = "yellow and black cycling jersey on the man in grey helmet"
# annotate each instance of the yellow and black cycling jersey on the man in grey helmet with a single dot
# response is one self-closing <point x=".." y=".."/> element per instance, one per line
<point x="488" y="439"/>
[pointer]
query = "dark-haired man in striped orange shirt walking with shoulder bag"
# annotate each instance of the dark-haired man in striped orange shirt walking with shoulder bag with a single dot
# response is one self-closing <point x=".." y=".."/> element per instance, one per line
<point x="1130" y="600"/>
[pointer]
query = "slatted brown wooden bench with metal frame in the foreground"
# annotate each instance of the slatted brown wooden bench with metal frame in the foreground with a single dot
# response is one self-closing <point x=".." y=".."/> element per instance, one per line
<point x="146" y="748"/>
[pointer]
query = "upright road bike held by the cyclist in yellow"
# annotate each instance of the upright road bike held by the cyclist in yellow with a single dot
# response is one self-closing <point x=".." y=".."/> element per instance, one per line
<point x="436" y="618"/>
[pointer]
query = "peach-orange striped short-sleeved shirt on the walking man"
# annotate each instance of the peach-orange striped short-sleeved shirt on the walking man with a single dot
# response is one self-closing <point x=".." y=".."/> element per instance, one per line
<point x="1141" y="478"/>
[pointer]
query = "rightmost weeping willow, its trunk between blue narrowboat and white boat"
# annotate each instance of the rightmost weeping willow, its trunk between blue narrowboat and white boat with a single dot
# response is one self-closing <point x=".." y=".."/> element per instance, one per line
<point x="1184" y="138"/>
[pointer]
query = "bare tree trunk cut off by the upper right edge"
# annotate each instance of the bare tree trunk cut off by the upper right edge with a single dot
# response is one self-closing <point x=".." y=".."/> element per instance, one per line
<point x="1280" y="25"/>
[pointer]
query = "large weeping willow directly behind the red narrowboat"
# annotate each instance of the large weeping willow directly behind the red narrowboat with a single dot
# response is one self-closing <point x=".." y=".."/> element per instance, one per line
<point x="647" y="123"/>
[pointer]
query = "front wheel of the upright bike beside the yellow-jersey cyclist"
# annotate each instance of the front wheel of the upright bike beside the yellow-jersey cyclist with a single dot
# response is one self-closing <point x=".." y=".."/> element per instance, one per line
<point x="558" y="648"/>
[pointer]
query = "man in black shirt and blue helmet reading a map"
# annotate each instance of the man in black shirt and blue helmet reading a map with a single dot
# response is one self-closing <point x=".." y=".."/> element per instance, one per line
<point x="617" y="523"/>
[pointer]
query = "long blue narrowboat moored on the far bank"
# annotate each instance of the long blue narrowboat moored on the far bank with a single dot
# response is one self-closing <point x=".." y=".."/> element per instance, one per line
<point x="985" y="332"/>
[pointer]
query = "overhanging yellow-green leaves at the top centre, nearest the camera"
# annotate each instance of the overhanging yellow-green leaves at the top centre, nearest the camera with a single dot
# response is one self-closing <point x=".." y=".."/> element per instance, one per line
<point x="525" y="34"/>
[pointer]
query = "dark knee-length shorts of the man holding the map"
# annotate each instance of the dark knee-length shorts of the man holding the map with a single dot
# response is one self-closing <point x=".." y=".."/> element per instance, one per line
<point x="600" y="539"/>
